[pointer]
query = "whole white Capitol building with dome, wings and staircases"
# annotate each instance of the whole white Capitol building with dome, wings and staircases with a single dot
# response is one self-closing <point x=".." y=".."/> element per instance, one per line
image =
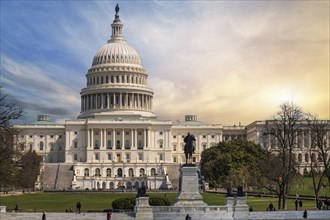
<point x="117" y="140"/>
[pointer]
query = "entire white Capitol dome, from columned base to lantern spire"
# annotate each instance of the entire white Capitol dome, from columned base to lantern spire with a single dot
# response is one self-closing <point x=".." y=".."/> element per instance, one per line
<point x="116" y="82"/>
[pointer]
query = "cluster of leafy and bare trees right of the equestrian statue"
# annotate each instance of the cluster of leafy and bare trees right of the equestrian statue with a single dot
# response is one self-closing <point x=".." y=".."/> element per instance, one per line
<point x="240" y="162"/>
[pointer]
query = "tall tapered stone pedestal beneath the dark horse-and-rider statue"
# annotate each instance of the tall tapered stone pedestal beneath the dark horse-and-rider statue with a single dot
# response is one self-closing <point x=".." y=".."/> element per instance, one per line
<point x="189" y="188"/>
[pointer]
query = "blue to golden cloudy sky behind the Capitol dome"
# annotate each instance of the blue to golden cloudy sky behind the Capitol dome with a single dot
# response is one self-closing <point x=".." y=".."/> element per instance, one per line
<point x="227" y="62"/>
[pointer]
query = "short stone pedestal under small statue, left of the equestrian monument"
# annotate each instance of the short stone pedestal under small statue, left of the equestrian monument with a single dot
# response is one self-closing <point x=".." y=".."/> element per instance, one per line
<point x="142" y="208"/>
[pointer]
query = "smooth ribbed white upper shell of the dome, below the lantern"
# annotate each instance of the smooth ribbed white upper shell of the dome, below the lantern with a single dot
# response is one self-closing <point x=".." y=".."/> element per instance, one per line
<point x="117" y="52"/>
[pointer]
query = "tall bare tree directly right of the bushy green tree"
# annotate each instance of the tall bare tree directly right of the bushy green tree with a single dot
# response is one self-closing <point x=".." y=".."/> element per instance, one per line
<point x="282" y="132"/>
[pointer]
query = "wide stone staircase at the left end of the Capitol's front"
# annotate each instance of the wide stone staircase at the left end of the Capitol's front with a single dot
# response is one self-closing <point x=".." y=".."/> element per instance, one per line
<point x="57" y="176"/>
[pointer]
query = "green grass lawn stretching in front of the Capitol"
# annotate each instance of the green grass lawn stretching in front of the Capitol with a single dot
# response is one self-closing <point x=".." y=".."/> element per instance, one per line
<point x="59" y="202"/>
